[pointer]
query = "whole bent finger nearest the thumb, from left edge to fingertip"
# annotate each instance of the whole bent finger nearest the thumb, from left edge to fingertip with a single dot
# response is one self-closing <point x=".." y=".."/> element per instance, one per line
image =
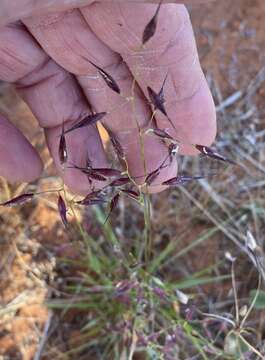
<point x="54" y="96"/>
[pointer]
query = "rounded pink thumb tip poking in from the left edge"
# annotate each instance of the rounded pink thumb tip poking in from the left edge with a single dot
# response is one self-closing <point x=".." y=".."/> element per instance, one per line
<point x="18" y="159"/>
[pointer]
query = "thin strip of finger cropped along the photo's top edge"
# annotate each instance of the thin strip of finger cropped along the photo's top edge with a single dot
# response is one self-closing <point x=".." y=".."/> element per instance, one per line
<point x="12" y="10"/>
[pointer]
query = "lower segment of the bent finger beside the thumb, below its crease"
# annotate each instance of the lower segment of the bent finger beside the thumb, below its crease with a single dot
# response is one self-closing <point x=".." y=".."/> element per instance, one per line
<point x="55" y="97"/>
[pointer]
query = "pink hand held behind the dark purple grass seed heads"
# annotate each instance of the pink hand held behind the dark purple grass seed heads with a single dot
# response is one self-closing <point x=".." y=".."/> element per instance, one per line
<point x="44" y="47"/>
